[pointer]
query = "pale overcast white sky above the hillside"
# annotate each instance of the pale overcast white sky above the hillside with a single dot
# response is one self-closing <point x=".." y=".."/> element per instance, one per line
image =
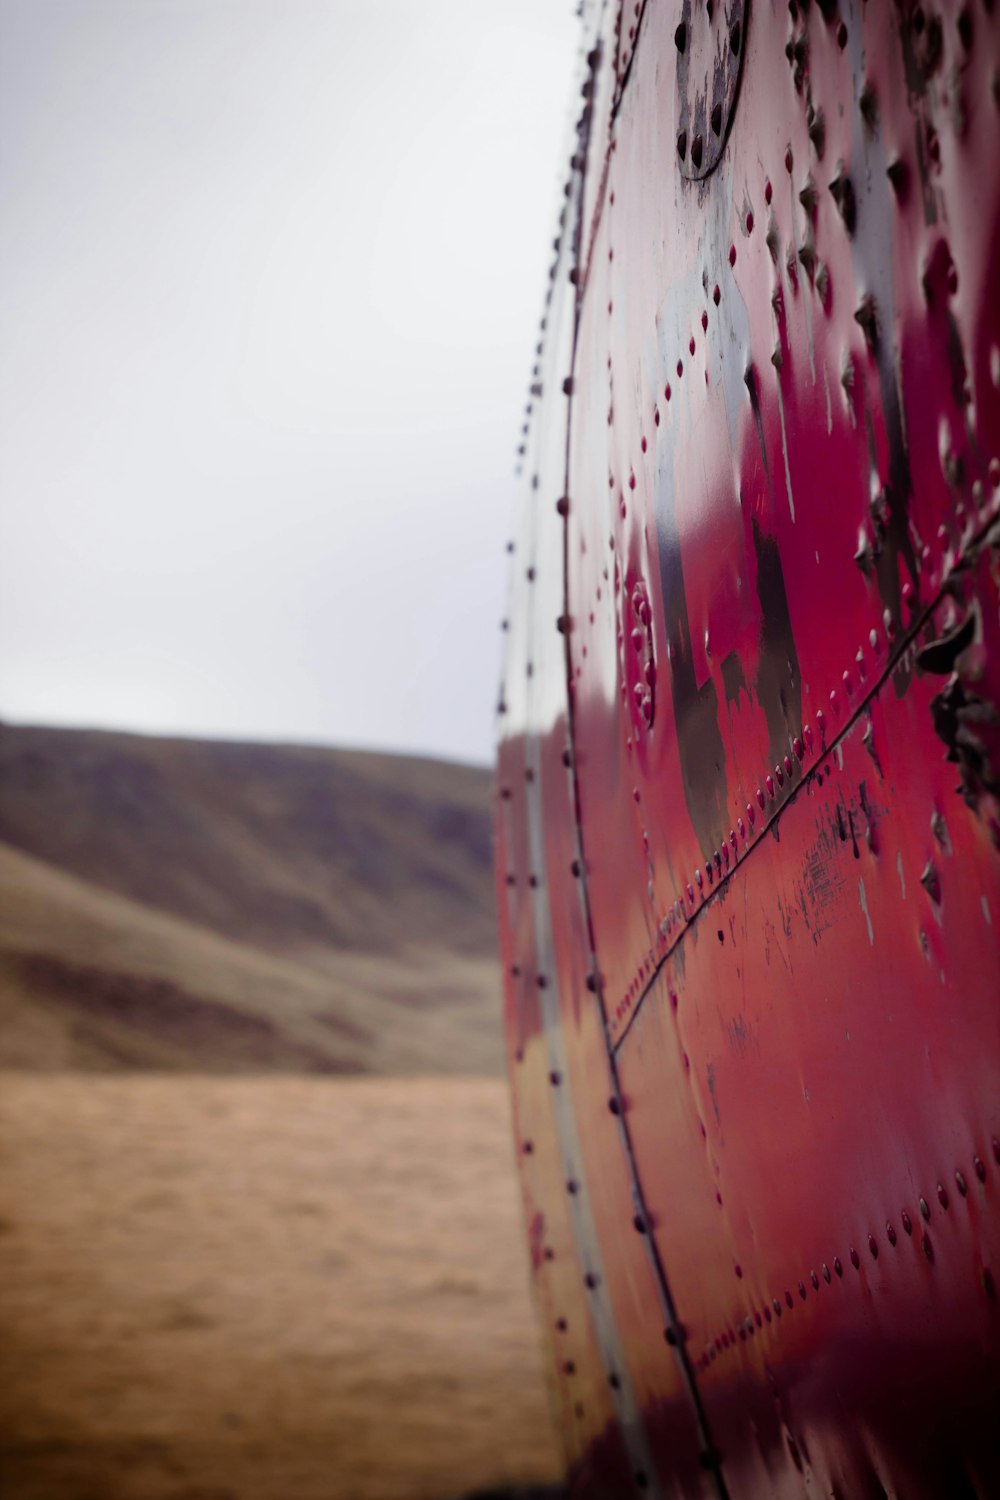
<point x="271" y="278"/>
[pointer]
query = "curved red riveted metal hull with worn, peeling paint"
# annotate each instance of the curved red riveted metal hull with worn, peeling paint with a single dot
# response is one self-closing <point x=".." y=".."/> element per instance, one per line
<point x="749" y="776"/>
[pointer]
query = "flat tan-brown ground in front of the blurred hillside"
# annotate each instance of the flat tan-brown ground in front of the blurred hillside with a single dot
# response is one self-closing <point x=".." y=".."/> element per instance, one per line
<point x="256" y="1289"/>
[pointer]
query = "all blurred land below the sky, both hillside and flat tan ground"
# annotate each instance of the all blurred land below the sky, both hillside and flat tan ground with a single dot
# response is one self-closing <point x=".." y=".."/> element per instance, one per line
<point x="260" y="1226"/>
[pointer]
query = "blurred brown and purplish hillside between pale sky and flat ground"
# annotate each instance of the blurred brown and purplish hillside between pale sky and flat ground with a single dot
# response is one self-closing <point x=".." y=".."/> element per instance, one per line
<point x="224" y="908"/>
